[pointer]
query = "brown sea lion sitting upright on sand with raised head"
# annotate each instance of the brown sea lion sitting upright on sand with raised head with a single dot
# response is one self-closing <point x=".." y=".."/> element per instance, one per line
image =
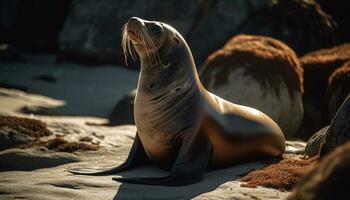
<point x="181" y="126"/>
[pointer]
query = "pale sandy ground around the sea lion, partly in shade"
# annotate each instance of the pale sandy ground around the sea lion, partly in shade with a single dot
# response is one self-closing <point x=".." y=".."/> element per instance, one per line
<point x="85" y="95"/>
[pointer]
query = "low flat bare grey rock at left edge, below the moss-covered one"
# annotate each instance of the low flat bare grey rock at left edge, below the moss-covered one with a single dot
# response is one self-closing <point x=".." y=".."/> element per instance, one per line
<point x="33" y="158"/>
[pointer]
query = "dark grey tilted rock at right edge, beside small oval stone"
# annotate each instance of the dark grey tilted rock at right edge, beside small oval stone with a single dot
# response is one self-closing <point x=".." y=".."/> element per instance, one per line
<point x="339" y="130"/>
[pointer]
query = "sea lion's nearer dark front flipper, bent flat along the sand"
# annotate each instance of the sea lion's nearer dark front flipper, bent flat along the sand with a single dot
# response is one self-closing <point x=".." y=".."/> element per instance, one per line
<point x="189" y="167"/>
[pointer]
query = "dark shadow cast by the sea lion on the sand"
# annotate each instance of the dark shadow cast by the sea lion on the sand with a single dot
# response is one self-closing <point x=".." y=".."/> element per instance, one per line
<point x="210" y="181"/>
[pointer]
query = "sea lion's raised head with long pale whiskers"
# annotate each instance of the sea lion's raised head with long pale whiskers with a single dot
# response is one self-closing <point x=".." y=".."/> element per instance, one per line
<point x="154" y="42"/>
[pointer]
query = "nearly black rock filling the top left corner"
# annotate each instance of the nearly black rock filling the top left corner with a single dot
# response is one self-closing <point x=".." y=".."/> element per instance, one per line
<point x="32" y="25"/>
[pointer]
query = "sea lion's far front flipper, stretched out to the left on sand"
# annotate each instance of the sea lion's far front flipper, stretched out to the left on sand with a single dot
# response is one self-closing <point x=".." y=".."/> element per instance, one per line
<point x="137" y="157"/>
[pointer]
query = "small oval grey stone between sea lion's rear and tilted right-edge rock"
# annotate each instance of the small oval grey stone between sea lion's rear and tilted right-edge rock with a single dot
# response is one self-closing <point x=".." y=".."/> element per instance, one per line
<point x="314" y="143"/>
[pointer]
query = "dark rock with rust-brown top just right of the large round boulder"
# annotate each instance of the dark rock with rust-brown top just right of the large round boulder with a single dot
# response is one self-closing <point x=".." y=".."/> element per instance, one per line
<point x="318" y="67"/>
